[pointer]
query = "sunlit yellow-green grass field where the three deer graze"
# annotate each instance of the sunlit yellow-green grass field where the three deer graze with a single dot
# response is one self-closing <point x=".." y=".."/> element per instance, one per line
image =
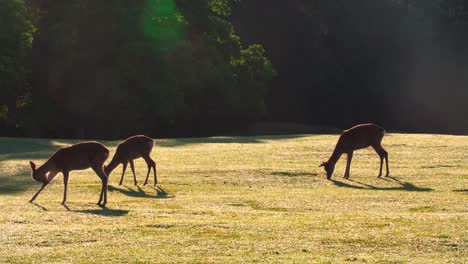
<point x="244" y="199"/>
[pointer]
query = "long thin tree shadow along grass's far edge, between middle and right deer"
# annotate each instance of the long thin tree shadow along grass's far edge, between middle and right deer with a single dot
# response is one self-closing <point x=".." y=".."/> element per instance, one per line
<point x="222" y="140"/>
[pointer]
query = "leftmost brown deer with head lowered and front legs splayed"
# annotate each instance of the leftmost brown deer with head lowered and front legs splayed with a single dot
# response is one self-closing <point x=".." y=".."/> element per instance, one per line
<point x="77" y="157"/>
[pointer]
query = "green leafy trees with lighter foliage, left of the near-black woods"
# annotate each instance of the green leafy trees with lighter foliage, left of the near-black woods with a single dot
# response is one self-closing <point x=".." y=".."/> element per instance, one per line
<point x="113" y="68"/>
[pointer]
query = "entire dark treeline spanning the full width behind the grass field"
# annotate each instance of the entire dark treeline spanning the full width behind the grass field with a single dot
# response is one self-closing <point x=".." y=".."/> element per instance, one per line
<point x="95" y="68"/>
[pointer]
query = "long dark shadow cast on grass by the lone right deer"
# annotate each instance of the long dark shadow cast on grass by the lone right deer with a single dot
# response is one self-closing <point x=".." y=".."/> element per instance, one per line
<point x="404" y="186"/>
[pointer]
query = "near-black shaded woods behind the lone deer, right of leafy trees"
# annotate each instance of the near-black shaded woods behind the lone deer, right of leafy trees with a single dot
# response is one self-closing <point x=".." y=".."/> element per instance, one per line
<point x="400" y="63"/>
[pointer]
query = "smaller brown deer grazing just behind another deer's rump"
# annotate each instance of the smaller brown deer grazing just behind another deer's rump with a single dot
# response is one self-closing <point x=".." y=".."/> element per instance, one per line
<point x="133" y="148"/>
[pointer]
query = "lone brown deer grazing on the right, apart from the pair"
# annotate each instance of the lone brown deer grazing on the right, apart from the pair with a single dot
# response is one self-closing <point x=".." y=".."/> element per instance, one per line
<point x="358" y="137"/>
